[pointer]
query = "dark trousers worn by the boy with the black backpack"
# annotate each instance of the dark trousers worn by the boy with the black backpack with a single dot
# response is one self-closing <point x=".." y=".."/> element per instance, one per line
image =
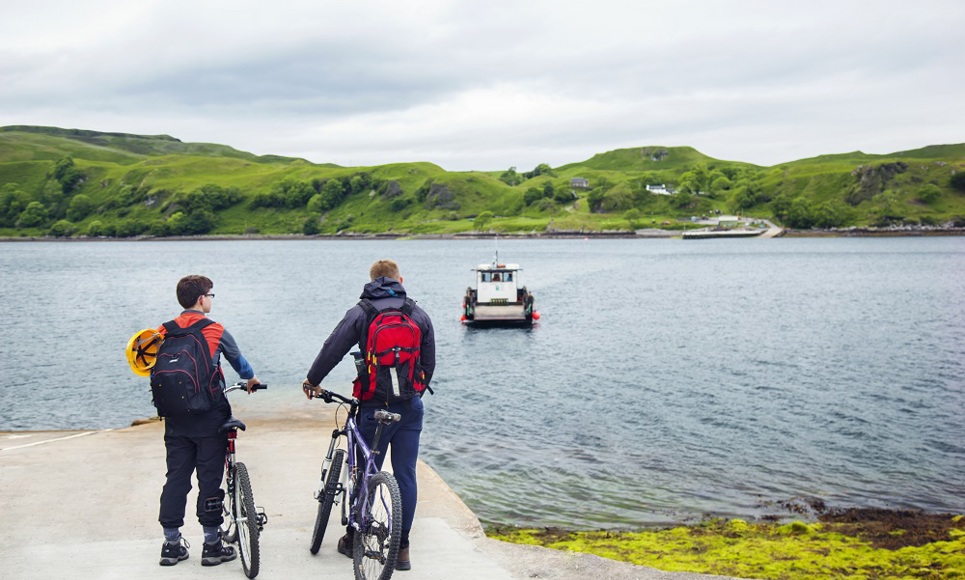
<point x="184" y="456"/>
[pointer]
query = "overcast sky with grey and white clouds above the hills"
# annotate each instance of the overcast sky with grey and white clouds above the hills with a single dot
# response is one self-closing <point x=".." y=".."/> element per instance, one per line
<point x="491" y="84"/>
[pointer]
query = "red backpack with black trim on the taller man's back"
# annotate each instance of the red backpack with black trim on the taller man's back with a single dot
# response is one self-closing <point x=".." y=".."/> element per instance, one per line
<point x="390" y="344"/>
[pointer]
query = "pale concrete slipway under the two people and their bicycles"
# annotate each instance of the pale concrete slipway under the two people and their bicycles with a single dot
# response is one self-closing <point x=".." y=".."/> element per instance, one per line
<point x="83" y="504"/>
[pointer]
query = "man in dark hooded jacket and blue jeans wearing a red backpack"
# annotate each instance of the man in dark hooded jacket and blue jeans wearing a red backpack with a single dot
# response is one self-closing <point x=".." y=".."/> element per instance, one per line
<point x="396" y="339"/>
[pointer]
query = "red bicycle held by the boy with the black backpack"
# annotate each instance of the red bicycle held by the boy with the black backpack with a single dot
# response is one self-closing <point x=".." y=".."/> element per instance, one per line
<point x="243" y="520"/>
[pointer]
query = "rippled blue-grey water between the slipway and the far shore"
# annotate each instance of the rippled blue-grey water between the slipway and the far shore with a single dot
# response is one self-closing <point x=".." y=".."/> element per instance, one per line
<point x="666" y="378"/>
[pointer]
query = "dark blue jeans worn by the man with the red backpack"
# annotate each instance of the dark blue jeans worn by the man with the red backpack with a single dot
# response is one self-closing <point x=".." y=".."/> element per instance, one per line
<point x="404" y="439"/>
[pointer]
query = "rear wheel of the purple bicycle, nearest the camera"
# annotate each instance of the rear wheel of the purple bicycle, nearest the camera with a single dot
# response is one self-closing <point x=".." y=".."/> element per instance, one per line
<point x="380" y="516"/>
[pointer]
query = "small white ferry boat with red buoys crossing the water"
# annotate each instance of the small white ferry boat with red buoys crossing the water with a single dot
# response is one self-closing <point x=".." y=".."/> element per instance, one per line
<point x="498" y="299"/>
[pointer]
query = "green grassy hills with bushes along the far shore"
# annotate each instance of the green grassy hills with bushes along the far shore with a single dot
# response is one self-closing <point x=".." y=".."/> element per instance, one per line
<point x="73" y="182"/>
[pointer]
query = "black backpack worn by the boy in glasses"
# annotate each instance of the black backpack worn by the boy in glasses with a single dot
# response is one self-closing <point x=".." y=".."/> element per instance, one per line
<point x="184" y="381"/>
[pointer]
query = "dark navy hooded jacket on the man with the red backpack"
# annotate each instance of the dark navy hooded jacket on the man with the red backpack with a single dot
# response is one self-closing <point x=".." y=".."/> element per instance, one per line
<point x="383" y="293"/>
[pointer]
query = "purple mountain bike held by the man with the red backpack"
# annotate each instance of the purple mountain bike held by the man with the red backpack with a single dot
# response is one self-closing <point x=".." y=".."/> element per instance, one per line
<point x="374" y="505"/>
